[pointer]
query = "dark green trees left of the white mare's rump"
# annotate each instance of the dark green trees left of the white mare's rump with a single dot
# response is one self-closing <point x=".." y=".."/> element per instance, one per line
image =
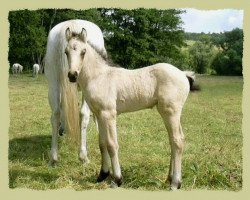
<point x="27" y="38"/>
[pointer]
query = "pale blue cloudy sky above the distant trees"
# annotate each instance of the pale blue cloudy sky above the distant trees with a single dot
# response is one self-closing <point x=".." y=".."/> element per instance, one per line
<point x="213" y="21"/>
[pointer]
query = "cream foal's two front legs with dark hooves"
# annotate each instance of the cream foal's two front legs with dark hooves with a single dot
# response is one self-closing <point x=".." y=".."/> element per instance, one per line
<point x="109" y="146"/>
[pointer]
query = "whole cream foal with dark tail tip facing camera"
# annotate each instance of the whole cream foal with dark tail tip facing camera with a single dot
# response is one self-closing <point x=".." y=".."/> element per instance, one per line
<point x="110" y="91"/>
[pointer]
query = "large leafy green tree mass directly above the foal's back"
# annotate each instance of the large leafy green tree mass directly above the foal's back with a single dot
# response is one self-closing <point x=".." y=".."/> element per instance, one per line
<point x="140" y="37"/>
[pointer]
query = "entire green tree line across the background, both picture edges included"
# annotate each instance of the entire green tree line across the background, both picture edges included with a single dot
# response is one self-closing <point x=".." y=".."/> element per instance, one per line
<point x="133" y="39"/>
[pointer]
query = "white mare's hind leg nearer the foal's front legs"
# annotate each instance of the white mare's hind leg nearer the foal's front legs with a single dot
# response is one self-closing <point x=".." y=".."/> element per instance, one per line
<point x="85" y="115"/>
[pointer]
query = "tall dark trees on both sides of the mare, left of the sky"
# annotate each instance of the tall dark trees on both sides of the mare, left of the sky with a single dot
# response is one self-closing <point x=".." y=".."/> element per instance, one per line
<point x="134" y="38"/>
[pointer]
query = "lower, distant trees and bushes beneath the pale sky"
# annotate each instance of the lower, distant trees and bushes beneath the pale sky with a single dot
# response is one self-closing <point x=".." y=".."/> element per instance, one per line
<point x="216" y="53"/>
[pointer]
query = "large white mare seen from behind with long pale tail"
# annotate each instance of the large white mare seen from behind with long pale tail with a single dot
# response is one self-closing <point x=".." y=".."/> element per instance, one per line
<point x="62" y="94"/>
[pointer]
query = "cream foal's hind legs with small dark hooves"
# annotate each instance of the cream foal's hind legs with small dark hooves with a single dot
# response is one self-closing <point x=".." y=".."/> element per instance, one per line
<point x="171" y="115"/>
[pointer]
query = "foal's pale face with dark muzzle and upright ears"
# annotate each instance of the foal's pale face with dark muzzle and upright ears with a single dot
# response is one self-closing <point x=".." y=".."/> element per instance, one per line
<point x="75" y="51"/>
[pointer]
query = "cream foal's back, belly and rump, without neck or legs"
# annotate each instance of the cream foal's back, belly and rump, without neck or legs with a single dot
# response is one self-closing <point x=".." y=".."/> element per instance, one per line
<point x="143" y="88"/>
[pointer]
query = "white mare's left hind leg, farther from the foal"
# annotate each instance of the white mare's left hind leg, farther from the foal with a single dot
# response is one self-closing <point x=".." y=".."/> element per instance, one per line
<point x="54" y="101"/>
